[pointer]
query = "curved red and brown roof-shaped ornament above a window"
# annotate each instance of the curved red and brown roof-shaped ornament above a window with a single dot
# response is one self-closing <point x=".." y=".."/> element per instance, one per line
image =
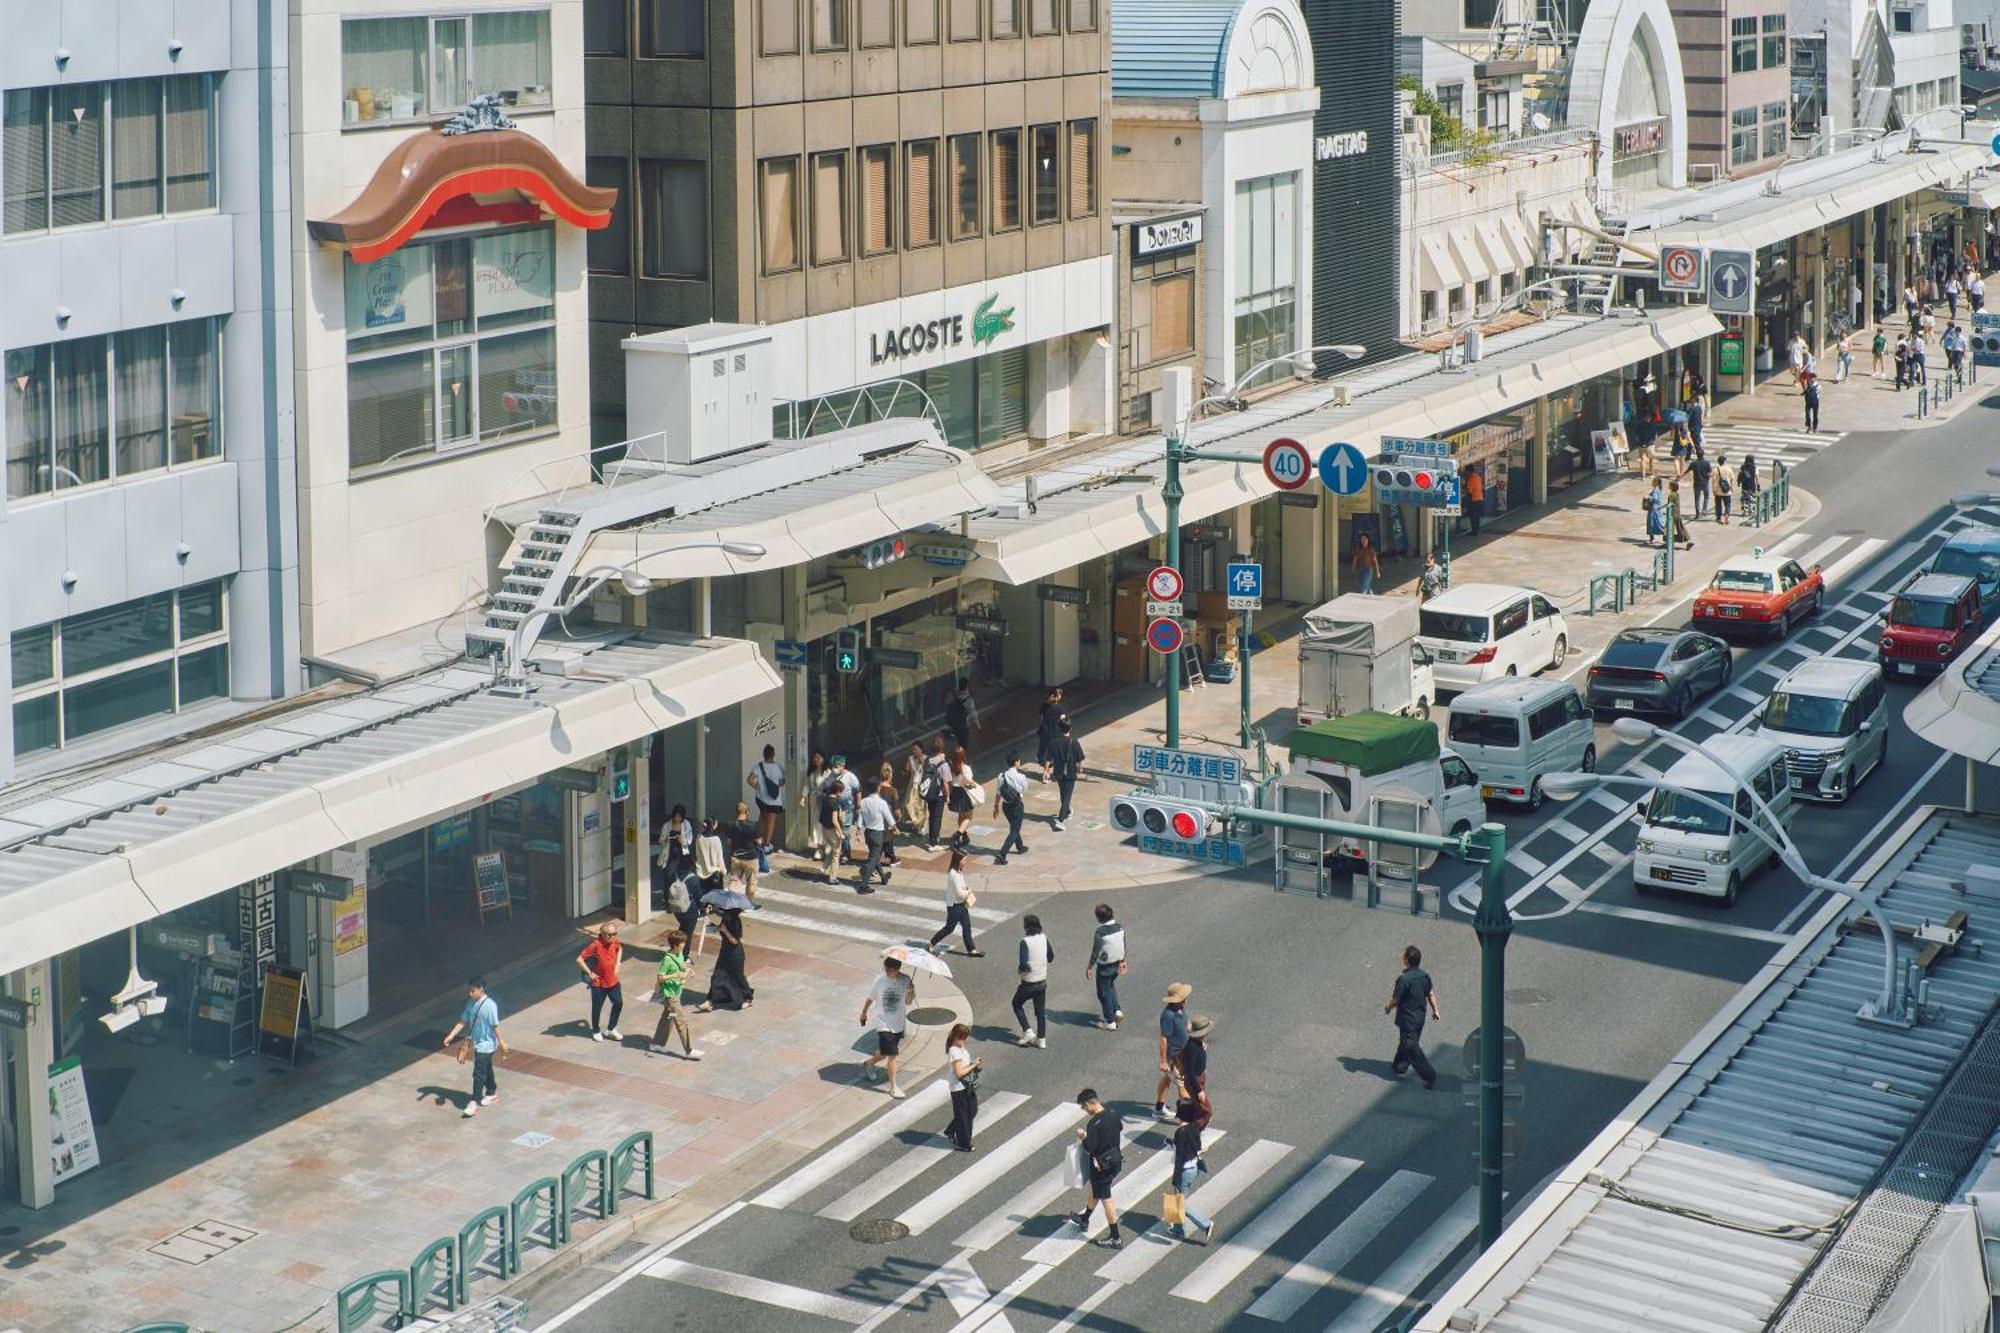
<point x="473" y="155"/>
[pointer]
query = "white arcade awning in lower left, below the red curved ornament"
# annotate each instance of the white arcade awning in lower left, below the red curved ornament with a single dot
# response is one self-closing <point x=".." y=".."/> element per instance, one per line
<point x="125" y="848"/>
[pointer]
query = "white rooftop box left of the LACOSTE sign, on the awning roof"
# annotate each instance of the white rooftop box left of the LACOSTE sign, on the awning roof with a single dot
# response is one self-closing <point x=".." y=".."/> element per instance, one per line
<point x="699" y="393"/>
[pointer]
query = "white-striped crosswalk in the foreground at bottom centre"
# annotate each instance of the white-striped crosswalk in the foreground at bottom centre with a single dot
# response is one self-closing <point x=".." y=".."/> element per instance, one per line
<point x="1303" y="1240"/>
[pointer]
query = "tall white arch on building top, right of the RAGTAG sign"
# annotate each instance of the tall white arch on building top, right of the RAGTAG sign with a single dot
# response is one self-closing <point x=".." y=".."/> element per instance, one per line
<point x="1629" y="63"/>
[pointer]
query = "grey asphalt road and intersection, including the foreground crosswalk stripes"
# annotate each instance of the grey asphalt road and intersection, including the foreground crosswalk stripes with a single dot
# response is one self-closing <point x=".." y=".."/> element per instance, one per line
<point x="1339" y="1192"/>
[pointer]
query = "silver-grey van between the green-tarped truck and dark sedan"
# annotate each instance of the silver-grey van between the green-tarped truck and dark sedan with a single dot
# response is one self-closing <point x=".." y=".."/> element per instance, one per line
<point x="1515" y="732"/>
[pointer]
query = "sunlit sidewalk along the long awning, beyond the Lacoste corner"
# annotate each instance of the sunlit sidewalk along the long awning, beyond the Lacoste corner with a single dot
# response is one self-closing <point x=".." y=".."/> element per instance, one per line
<point x="1593" y="529"/>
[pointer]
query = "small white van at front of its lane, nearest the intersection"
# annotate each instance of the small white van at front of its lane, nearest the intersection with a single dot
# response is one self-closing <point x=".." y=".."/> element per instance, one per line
<point x="1697" y="848"/>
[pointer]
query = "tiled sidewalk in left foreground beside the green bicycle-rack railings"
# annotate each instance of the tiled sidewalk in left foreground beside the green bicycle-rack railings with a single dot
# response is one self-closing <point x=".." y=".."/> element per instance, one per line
<point x="359" y="1158"/>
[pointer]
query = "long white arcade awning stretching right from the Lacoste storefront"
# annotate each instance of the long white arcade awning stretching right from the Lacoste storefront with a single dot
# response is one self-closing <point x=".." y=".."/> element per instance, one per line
<point x="1113" y="501"/>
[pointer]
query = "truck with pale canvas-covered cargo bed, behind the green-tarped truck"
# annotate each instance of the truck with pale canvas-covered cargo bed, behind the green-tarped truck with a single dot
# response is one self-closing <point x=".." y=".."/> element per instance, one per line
<point x="1361" y="651"/>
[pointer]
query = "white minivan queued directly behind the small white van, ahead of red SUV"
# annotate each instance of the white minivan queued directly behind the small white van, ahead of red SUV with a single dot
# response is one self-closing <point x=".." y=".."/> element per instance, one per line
<point x="1831" y="716"/>
